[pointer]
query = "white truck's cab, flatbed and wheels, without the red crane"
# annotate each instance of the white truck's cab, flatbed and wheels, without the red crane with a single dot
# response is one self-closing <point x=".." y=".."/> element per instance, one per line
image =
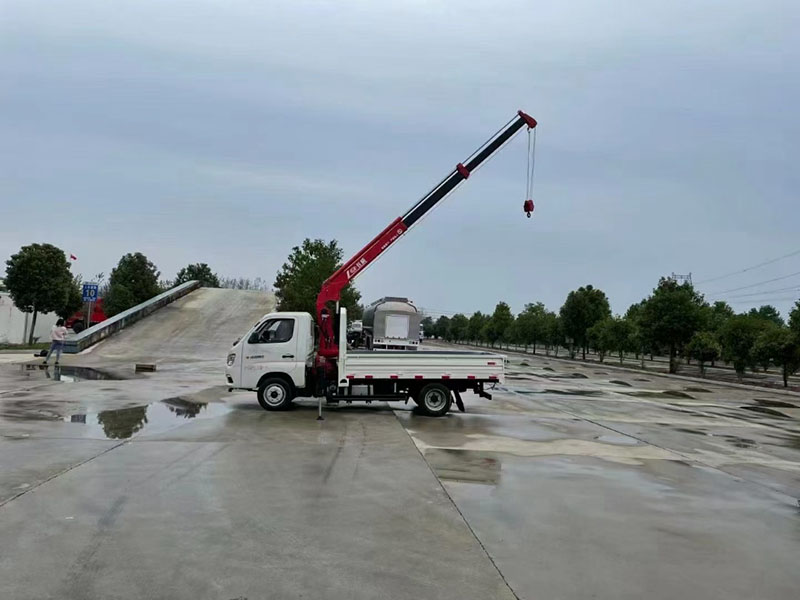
<point x="276" y="358"/>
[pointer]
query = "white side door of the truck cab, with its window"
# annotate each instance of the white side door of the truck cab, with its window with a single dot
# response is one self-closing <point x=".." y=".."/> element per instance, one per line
<point x="272" y="348"/>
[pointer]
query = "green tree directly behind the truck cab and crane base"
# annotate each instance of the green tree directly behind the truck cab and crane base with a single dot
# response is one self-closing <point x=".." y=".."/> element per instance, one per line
<point x="300" y="279"/>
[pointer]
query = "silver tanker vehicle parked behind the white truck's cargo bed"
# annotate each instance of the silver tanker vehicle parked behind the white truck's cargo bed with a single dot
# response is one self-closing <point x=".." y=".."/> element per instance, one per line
<point x="391" y="324"/>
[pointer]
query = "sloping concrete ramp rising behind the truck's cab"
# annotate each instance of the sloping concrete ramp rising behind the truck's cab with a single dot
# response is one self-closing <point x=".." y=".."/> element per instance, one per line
<point x="197" y="329"/>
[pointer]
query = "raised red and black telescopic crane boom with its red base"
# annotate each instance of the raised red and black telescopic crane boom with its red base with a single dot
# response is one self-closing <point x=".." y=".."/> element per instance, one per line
<point x="332" y="287"/>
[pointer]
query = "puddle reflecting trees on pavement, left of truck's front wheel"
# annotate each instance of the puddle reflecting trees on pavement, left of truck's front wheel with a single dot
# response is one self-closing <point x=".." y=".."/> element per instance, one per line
<point x="123" y="423"/>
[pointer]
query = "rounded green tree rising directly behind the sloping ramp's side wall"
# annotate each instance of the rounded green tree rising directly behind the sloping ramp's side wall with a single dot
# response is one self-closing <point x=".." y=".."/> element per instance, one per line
<point x="133" y="281"/>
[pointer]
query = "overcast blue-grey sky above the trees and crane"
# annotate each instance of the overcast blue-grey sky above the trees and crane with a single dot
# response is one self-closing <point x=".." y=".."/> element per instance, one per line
<point x="226" y="132"/>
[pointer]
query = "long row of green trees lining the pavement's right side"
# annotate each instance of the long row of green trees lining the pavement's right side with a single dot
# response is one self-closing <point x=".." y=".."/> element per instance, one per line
<point x="674" y="320"/>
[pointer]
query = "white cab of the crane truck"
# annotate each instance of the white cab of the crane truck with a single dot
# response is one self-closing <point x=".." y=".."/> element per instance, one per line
<point x="279" y="345"/>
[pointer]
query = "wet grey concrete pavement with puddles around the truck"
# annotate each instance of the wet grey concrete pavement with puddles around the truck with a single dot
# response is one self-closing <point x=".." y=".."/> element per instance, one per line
<point x="575" y="482"/>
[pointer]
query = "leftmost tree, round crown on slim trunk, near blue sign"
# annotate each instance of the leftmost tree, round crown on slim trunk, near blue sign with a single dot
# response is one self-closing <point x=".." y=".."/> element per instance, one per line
<point x="39" y="280"/>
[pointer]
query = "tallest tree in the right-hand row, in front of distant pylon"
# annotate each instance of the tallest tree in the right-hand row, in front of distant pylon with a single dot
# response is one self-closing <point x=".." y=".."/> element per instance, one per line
<point x="672" y="315"/>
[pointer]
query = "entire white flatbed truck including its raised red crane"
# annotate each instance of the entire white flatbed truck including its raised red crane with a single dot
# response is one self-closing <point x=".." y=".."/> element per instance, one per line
<point x="286" y="355"/>
